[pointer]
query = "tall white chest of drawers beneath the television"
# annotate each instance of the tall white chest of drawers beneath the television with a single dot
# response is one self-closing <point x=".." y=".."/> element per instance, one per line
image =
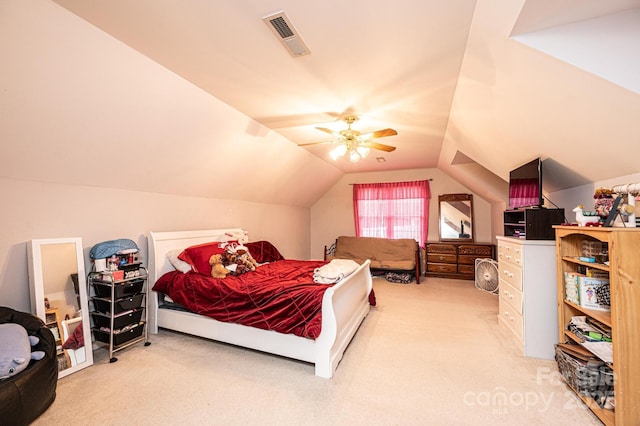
<point x="528" y="294"/>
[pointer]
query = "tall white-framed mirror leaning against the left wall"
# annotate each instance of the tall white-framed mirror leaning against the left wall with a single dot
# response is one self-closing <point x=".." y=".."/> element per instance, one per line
<point x="59" y="297"/>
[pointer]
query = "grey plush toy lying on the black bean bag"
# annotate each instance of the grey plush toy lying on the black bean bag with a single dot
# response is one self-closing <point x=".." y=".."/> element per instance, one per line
<point x="15" y="349"/>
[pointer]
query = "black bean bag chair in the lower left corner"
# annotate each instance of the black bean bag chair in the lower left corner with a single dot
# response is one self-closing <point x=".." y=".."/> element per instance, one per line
<point x="28" y="394"/>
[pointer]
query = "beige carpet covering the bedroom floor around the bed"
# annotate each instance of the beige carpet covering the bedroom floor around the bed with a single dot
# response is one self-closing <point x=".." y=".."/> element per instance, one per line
<point x="428" y="354"/>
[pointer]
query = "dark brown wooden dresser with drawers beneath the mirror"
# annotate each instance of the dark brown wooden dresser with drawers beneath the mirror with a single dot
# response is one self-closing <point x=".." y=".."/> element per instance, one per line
<point x="456" y="259"/>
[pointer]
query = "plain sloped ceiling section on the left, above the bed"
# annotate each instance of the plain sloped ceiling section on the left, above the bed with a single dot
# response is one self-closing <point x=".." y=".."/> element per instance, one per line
<point x="79" y="107"/>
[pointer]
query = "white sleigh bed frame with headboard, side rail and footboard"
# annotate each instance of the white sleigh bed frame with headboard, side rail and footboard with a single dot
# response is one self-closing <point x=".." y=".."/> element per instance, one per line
<point x="344" y="307"/>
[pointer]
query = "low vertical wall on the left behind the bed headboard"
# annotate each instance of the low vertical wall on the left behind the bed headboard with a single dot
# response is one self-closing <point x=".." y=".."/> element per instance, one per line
<point x="33" y="210"/>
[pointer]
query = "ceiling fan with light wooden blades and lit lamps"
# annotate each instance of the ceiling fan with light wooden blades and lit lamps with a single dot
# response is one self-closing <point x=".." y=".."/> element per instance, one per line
<point x="351" y="141"/>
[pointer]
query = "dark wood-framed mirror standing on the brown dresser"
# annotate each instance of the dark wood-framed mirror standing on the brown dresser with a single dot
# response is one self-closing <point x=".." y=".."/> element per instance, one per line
<point x="456" y="217"/>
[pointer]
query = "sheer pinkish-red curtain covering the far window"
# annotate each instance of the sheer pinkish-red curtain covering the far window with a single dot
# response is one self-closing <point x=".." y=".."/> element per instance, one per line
<point x="392" y="210"/>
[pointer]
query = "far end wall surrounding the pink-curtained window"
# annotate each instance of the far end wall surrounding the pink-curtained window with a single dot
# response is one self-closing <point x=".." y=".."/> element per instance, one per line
<point x="332" y="215"/>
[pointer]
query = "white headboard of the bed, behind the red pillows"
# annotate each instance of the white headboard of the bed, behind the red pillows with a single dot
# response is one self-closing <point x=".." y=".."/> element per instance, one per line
<point x="160" y="243"/>
